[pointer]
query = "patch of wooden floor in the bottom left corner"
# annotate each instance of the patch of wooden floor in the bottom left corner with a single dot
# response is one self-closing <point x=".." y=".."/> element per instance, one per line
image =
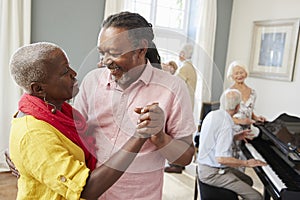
<point x="8" y="186"/>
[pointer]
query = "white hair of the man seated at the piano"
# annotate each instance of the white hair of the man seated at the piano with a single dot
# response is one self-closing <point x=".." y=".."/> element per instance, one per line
<point x="230" y="99"/>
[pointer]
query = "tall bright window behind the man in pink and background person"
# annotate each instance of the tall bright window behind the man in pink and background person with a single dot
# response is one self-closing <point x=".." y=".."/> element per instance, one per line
<point x="175" y="22"/>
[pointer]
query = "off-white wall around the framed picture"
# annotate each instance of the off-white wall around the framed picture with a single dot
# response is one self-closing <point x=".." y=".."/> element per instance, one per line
<point x="274" y="97"/>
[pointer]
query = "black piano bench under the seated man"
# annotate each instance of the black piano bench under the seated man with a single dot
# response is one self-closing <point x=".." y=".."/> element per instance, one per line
<point x="208" y="192"/>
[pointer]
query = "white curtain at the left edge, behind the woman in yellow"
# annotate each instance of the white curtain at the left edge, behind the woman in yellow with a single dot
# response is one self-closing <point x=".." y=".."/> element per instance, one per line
<point x="15" y="16"/>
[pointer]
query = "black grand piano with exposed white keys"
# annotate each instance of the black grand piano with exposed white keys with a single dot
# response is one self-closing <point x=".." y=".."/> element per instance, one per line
<point x="278" y="144"/>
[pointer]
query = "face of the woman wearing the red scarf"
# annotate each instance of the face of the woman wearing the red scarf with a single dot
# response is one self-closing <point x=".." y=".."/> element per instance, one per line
<point x="61" y="84"/>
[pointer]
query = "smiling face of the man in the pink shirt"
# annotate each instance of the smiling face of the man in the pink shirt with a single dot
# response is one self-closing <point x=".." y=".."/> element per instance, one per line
<point x="116" y="51"/>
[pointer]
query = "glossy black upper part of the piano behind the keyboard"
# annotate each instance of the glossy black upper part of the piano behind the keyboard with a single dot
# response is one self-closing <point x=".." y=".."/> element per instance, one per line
<point x="286" y="129"/>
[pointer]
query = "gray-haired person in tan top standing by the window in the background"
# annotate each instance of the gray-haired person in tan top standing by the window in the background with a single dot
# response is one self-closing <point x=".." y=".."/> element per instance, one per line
<point x="188" y="73"/>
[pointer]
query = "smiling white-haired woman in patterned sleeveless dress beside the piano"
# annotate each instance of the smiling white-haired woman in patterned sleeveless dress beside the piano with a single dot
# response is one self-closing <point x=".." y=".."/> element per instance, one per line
<point x="245" y="117"/>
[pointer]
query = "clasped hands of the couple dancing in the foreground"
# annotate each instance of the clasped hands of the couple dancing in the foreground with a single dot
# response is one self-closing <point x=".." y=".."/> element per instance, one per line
<point x="151" y="120"/>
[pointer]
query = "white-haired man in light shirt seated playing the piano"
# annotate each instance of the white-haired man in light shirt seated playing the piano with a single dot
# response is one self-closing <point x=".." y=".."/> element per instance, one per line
<point x="216" y="165"/>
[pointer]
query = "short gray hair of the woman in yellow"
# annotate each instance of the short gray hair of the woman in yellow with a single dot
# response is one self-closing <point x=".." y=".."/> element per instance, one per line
<point x="28" y="63"/>
